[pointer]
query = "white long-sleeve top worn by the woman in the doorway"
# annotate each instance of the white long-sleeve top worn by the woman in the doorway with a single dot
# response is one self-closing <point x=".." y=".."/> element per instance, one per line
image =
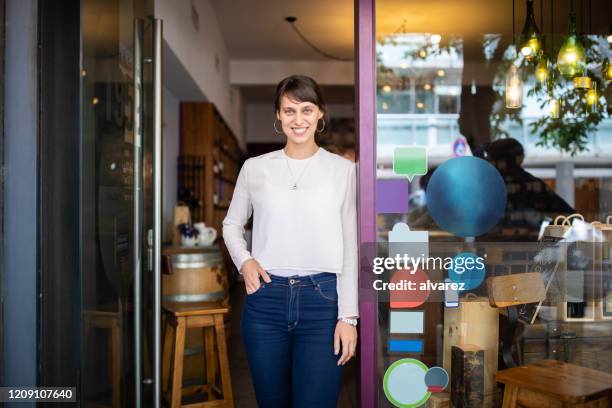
<point x="311" y="228"/>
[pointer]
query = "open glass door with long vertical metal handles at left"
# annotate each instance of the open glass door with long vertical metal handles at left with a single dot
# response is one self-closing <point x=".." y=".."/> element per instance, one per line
<point x="120" y="203"/>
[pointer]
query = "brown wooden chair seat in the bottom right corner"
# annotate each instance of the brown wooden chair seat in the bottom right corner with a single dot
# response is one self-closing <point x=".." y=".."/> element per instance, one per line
<point x="552" y="383"/>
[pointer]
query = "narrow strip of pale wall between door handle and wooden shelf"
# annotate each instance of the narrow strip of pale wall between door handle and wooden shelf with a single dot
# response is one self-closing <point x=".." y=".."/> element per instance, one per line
<point x="171" y="150"/>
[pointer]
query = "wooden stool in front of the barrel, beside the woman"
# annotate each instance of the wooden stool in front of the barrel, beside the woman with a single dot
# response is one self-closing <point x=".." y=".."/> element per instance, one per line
<point x="186" y="315"/>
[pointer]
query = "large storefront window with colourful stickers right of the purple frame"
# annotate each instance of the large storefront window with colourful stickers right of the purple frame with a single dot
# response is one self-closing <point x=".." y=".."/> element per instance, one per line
<point x="486" y="146"/>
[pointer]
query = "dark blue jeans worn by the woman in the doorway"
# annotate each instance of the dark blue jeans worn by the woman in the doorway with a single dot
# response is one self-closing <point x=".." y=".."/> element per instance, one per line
<point x="288" y="331"/>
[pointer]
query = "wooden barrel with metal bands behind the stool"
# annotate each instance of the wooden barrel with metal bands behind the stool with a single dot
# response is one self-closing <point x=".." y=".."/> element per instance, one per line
<point x="195" y="275"/>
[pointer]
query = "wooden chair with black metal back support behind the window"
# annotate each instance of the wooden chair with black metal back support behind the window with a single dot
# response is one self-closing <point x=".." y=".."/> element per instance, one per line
<point x="546" y="383"/>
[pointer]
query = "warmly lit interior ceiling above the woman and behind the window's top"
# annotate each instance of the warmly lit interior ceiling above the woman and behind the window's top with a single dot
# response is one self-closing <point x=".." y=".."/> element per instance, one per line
<point x="257" y="30"/>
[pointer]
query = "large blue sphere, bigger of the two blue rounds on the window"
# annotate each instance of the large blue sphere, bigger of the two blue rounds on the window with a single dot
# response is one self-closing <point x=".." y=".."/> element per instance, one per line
<point x="466" y="196"/>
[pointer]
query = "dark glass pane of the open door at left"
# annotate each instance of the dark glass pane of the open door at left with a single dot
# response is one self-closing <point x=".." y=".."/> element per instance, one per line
<point x="108" y="202"/>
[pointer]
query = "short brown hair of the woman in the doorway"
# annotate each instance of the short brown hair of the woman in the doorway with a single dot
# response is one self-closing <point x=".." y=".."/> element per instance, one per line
<point x="301" y="88"/>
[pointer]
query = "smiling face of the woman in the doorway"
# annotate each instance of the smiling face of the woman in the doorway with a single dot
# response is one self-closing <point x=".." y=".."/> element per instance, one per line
<point x="299" y="119"/>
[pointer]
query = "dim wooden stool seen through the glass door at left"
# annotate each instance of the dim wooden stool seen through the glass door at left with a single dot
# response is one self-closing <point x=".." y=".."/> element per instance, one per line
<point x="98" y="319"/>
